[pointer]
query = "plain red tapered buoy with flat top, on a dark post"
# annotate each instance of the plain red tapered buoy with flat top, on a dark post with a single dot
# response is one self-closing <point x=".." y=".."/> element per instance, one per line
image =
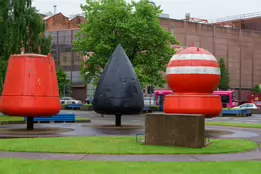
<point x="31" y="87"/>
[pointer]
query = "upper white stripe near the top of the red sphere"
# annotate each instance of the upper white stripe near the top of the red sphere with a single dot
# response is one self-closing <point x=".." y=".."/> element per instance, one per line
<point x="193" y="57"/>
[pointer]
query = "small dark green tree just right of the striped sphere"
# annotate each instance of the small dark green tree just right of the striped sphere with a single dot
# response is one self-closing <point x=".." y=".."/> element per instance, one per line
<point x="224" y="80"/>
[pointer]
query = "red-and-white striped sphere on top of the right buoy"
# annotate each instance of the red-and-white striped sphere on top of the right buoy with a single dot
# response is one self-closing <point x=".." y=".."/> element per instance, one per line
<point x="193" y="70"/>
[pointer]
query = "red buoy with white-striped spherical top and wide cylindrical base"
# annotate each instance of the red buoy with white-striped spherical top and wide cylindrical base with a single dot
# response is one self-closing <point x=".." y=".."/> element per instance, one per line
<point x="193" y="74"/>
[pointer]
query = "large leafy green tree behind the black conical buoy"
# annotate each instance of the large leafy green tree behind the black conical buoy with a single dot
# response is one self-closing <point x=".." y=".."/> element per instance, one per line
<point x="113" y="22"/>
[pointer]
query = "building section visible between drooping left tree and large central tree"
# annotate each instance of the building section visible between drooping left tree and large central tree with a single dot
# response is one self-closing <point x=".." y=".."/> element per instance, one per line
<point x="63" y="31"/>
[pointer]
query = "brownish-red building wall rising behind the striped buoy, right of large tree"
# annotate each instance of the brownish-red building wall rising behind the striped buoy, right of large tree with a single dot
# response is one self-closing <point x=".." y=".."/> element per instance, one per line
<point x="239" y="48"/>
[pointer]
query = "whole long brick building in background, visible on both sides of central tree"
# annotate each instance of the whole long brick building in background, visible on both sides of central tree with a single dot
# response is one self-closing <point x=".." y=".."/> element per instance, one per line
<point x="239" y="48"/>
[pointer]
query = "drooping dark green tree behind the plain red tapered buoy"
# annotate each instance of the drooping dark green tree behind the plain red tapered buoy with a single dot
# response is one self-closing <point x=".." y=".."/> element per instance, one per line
<point x="21" y="27"/>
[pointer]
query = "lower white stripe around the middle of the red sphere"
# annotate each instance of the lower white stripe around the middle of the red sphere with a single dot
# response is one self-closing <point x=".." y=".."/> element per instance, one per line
<point x="193" y="70"/>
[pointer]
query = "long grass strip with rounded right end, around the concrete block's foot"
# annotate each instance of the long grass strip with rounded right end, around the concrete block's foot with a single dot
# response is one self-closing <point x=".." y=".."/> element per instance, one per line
<point x="116" y="145"/>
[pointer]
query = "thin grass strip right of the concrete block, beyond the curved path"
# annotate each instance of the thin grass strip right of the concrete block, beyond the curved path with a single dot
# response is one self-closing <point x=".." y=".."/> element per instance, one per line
<point x="242" y="125"/>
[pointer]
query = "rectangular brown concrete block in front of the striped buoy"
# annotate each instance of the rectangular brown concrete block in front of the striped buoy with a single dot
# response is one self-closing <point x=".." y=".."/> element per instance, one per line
<point x="175" y="130"/>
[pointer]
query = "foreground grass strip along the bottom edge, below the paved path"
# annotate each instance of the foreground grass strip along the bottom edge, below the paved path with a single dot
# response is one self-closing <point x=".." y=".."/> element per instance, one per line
<point x="17" y="166"/>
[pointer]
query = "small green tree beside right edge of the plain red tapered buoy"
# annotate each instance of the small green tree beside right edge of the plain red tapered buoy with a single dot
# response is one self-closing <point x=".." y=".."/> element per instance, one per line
<point x="63" y="82"/>
